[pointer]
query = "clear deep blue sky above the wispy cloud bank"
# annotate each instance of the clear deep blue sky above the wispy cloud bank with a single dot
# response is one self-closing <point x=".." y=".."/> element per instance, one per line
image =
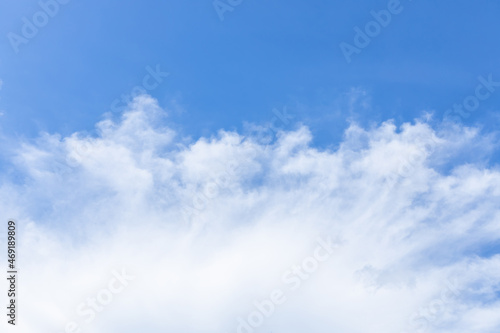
<point x="262" y="56"/>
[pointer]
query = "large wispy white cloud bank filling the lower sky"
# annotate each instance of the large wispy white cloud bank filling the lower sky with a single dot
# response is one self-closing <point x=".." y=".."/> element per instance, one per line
<point x="210" y="227"/>
